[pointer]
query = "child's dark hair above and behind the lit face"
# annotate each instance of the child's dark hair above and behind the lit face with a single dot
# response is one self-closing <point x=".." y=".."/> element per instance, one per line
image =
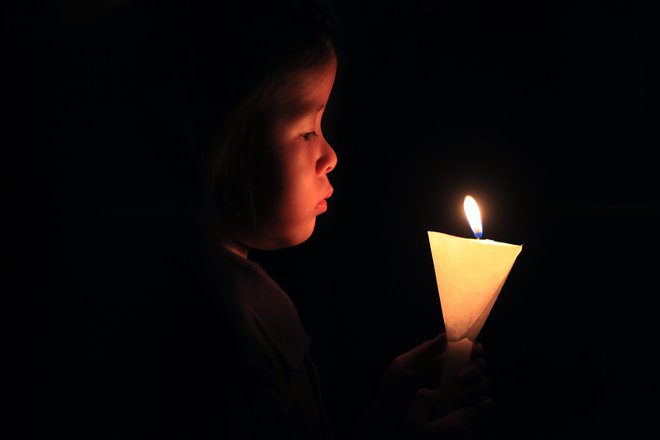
<point x="239" y="58"/>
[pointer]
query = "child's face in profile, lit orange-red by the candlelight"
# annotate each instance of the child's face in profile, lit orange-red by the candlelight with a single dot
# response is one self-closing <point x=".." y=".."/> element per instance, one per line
<point x="292" y="166"/>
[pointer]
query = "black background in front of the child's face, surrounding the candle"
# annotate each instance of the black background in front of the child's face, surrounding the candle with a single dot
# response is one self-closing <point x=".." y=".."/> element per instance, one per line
<point x="544" y="111"/>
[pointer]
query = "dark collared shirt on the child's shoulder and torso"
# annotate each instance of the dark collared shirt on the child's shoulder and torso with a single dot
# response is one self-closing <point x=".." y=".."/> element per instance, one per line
<point x="237" y="363"/>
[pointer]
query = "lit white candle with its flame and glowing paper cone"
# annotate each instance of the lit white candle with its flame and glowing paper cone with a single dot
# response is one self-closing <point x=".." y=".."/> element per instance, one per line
<point x="470" y="274"/>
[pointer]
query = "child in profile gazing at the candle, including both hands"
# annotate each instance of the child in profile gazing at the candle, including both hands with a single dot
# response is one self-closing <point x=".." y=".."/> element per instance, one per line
<point x="233" y="361"/>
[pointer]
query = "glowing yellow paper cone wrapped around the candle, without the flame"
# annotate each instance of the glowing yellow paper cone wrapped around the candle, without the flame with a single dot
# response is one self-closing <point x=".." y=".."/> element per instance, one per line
<point x="470" y="274"/>
